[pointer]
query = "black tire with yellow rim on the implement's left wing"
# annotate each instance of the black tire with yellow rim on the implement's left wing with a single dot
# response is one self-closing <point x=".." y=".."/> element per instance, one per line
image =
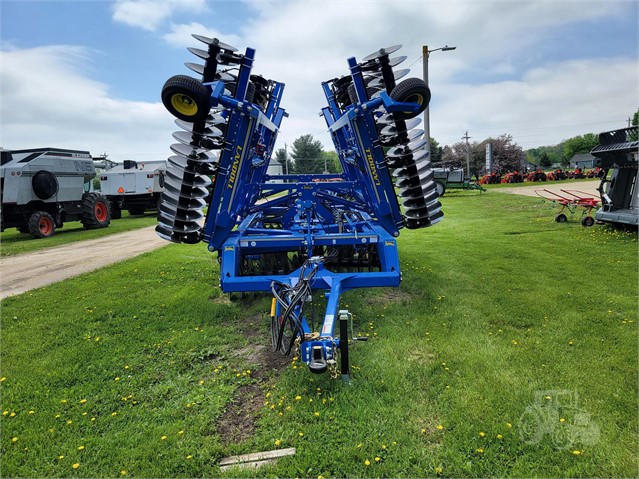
<point x="186" y="98"/>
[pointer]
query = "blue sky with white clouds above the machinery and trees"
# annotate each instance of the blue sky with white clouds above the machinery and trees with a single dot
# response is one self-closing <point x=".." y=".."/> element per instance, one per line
<point x="88" y="74"/>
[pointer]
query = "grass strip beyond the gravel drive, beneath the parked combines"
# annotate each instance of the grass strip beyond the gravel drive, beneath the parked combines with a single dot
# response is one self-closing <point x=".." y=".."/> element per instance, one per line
<point x="13" y="242"/>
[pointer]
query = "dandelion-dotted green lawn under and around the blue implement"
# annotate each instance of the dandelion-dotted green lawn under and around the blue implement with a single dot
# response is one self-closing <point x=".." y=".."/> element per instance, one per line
<point x="510" y="350"/>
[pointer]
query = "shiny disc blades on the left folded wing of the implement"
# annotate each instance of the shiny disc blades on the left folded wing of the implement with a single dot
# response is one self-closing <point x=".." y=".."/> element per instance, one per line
<point x="193" y="162"/>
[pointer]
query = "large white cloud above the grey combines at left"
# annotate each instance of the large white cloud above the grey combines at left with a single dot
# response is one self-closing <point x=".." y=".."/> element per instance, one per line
<point x="67" y="110"/>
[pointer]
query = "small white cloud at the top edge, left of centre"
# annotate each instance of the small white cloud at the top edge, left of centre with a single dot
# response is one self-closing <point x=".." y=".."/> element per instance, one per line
<point x="149" y="14"/>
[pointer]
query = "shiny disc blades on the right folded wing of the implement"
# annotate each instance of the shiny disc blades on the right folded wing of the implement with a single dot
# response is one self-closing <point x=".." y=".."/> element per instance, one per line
<point x="408" y="156"/>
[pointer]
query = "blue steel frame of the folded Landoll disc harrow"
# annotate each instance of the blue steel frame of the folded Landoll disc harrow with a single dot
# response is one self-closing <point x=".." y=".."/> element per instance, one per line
<point x="356" y="208"/>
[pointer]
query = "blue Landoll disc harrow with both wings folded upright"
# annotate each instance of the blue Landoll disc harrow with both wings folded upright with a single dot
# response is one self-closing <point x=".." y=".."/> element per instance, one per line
<point x="295" y="235"/>
